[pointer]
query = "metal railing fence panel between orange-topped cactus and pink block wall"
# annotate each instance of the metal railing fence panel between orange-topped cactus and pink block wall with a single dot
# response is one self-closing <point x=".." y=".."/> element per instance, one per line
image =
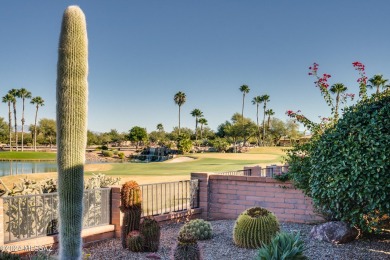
<point x="167" y="197"/>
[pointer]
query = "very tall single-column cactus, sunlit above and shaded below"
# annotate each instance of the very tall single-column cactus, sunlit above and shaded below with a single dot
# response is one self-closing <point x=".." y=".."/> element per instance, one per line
<point x="72" y="95"/>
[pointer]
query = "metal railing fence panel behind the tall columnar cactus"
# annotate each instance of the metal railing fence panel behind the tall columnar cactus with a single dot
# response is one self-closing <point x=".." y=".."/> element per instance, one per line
<point x="30" y="216"/>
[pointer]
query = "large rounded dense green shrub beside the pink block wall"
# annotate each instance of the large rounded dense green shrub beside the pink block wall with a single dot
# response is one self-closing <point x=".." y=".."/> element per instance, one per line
<point x="351" y="165"/>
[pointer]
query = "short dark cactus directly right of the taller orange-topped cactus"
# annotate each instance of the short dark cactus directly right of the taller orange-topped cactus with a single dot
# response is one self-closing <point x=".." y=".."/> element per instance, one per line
<point x="150" y="230"/>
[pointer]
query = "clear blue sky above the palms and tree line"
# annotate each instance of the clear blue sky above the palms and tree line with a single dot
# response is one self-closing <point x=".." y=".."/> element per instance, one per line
<point x="142" y="52"/>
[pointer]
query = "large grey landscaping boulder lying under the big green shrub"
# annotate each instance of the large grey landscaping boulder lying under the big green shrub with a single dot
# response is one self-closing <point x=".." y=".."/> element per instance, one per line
<point x="336" y="232"/>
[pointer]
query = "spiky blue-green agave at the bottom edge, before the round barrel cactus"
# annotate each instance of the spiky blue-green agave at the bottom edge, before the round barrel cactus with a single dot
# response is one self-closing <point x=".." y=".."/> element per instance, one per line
<point x="284" y="246"/>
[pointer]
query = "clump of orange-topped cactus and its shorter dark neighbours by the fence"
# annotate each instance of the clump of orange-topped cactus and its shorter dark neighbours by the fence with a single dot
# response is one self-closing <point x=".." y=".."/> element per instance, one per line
<point x="137" y="235"/>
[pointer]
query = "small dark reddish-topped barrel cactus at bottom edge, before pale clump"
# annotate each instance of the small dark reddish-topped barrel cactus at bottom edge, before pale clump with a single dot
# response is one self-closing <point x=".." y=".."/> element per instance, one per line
<point x="187" y="247"/>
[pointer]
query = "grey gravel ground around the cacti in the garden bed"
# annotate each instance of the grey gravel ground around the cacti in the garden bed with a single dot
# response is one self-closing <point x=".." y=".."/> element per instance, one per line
<point x="221" y="246"/>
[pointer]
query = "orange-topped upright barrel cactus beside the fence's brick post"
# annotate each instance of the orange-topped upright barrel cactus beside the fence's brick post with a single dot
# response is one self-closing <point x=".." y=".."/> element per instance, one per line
<point x="131" y="199"/>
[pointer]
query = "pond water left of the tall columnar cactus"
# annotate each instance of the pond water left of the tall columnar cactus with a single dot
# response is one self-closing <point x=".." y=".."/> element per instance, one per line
<point x="26" y="167"/>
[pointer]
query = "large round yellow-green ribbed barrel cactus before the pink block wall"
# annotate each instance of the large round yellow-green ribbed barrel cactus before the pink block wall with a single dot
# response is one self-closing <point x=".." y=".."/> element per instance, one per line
<point x="255" y="227"/>
